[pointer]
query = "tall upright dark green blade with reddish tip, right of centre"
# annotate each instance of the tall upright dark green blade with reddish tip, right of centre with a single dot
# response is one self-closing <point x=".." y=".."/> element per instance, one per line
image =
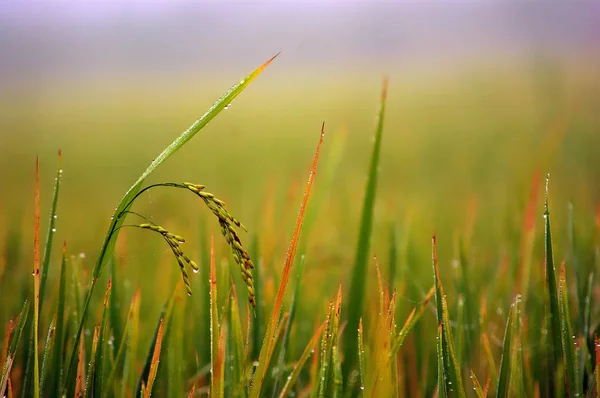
<point x="359" y="272"/>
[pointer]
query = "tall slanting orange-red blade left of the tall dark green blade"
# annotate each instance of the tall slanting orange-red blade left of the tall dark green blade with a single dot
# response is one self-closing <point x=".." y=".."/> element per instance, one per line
<point x="270" y="335"/>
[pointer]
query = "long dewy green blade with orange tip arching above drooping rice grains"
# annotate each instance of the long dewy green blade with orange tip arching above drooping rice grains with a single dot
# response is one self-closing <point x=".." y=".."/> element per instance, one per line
<point x="117" y="221"/>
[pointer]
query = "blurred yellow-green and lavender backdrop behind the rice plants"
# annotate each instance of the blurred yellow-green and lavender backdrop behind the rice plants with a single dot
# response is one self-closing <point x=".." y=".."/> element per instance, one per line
<point x="482" y="94"/>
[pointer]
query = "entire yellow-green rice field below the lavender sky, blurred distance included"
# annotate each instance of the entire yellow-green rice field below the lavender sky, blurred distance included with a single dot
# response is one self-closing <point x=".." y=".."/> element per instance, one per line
<point x="434" y="240"/>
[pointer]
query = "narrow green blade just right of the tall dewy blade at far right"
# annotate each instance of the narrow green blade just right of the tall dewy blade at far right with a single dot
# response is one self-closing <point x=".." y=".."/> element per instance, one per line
<point x="571" y="360"/>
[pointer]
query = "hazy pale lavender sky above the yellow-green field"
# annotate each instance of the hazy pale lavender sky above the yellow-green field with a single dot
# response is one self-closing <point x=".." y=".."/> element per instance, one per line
<point x="53" y="39"/>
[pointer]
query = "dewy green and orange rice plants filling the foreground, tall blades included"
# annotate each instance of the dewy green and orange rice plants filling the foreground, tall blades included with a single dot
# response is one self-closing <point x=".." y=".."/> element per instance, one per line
<point x="421" y="322"/>
